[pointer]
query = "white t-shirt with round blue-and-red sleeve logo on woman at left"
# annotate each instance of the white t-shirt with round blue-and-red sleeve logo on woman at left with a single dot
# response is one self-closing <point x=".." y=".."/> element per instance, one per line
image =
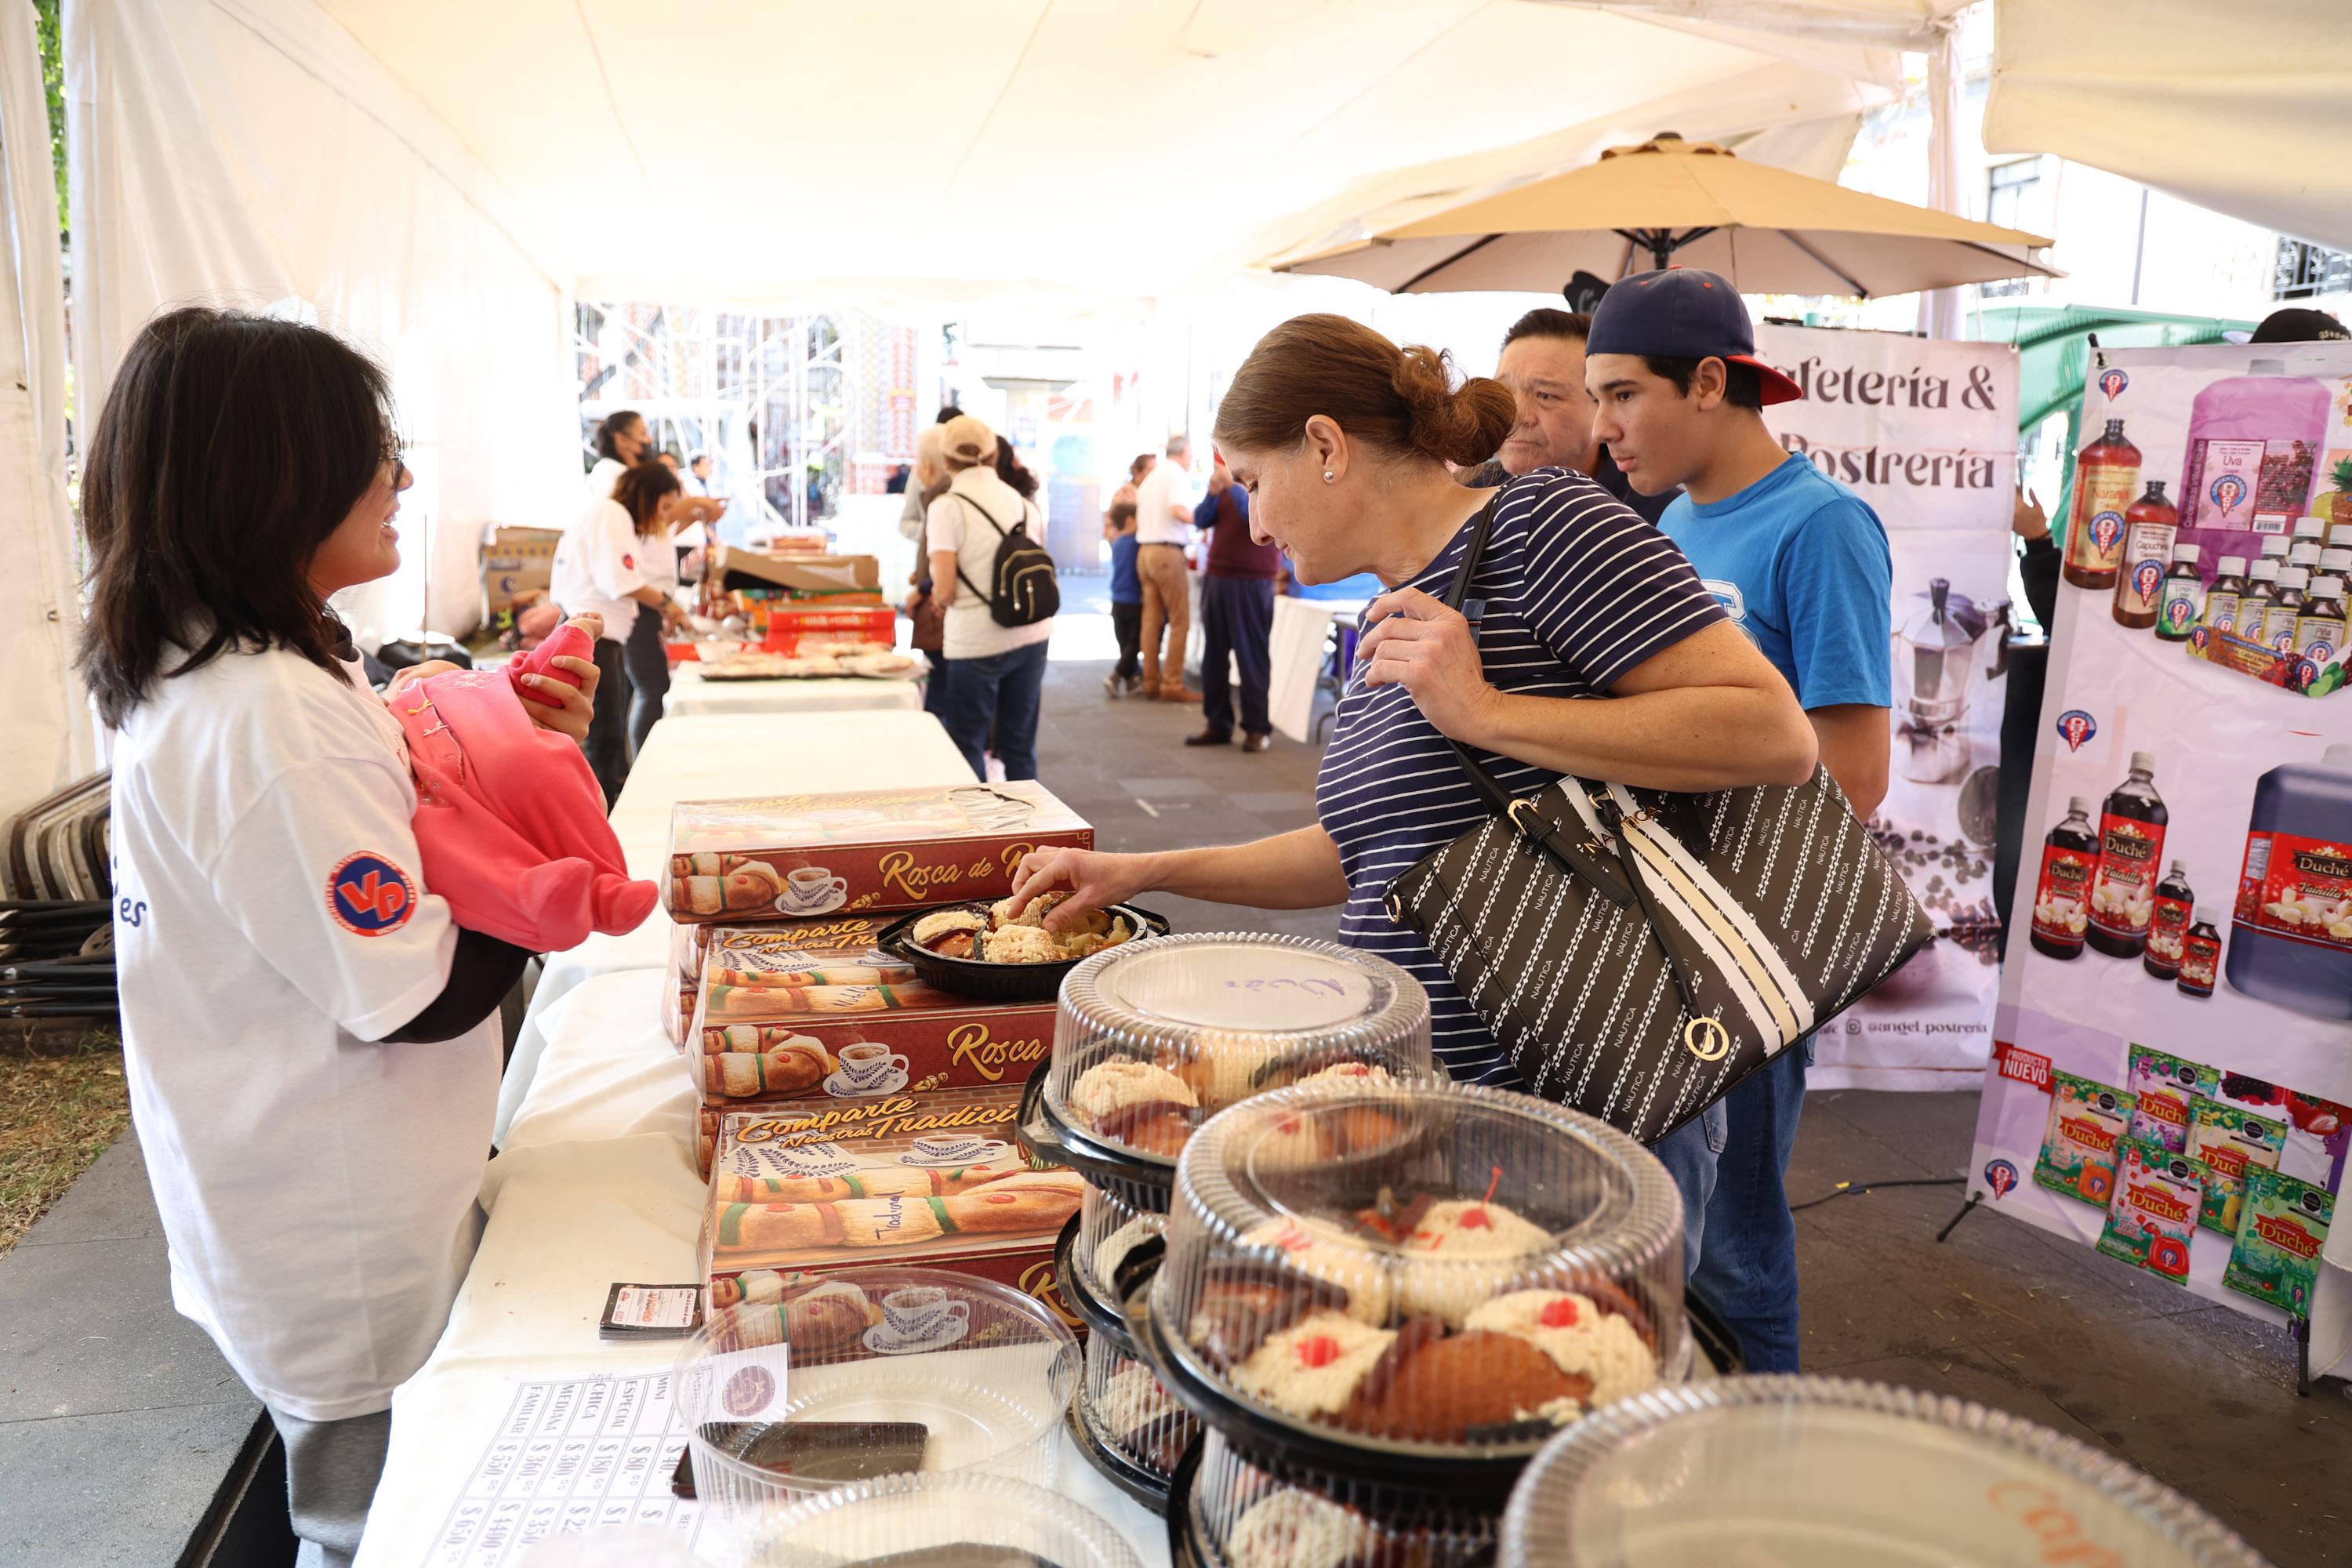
<point x="316" y="1191"/>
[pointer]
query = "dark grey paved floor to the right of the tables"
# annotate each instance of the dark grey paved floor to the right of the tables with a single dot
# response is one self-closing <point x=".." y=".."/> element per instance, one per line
<point x="2005" y="1315"/>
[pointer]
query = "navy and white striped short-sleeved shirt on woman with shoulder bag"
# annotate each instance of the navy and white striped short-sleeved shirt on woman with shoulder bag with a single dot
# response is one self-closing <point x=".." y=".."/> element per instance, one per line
<point x="1579" y="591"/>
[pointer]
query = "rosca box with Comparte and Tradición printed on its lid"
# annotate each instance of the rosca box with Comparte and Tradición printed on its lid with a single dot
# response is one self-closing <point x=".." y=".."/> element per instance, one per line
<point x="940" y="1184"/>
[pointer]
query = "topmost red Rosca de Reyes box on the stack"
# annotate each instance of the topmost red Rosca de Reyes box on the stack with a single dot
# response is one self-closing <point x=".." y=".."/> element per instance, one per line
<point x="801" y="857"/>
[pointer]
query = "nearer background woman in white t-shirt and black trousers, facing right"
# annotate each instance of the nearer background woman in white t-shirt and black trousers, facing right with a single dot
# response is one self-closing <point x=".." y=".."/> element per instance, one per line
<point x="615" y="563"/>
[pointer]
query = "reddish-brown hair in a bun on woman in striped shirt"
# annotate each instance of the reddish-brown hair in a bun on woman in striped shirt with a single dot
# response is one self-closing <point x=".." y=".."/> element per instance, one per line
<point x="1396" y="401"/>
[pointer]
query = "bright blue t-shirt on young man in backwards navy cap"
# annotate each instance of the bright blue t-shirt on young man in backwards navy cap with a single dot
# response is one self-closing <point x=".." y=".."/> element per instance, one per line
<point x="1800" y="565"/>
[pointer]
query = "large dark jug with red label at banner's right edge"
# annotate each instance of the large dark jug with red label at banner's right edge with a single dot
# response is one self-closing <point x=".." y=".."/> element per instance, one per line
<point x="2294" y="894"/>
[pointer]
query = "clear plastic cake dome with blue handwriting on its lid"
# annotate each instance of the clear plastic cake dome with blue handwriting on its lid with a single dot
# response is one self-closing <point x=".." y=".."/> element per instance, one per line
<point x="1156" y="1038"/>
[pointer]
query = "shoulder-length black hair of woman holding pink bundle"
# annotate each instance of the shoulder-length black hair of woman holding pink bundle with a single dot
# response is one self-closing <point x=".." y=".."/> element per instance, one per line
<point x="229" y="450"/>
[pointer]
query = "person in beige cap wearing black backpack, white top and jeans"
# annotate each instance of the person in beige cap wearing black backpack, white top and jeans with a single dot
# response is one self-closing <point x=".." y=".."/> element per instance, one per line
<point x="989" y="570"/>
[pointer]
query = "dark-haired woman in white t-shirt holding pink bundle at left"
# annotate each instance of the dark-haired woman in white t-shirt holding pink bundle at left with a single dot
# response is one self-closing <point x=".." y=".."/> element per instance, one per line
<point x="312" y="1043"/>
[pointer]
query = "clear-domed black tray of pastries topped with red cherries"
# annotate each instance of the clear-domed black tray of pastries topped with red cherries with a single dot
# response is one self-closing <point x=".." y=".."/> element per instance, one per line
<point x="1384" y="1280"/>
